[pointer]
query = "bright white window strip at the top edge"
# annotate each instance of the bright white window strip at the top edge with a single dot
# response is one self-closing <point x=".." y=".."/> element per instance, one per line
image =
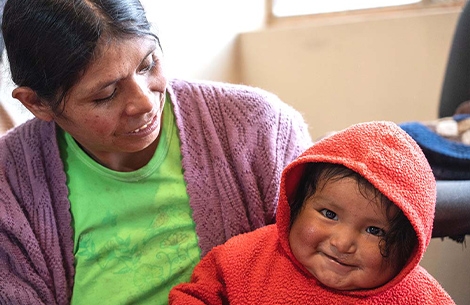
<point x="284" y="8"/>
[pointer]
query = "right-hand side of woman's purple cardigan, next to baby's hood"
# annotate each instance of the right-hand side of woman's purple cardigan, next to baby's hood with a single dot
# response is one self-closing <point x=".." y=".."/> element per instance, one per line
<point x="235" y="142"/>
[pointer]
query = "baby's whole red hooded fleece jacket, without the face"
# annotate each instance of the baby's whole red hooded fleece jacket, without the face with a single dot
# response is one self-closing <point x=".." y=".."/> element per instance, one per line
<point x="260" y="268"/>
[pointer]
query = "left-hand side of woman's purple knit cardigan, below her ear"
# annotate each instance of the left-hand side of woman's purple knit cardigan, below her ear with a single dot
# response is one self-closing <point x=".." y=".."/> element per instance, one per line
<point x="36" y="245"/>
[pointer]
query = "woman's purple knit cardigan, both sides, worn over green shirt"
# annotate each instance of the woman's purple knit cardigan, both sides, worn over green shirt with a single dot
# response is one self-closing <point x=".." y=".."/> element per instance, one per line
<point x="236" y="140"/>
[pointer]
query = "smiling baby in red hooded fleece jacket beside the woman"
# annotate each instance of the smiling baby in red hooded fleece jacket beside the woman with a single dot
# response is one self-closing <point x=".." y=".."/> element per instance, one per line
<point x="354" y="219"/>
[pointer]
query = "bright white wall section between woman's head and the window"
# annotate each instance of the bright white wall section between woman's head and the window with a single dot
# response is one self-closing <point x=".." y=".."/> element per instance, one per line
<point x="199" y="38"/>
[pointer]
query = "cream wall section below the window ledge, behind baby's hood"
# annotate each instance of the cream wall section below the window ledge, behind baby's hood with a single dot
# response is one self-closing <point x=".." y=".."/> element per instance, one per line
<point x="340" y="74"/>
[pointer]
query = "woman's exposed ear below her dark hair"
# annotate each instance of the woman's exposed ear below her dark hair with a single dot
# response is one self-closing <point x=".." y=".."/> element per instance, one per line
<point x="31" y="101"/>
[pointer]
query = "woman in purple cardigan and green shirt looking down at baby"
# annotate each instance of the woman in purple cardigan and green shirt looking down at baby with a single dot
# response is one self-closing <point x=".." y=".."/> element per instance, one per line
<point x="124" y="180"/>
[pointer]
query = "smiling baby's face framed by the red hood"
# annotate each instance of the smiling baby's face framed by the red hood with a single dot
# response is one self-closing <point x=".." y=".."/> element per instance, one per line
<point x="336" y="237"/>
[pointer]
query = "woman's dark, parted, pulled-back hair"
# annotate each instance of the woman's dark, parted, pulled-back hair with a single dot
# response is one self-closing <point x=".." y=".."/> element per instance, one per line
<point x="50" y="43"/>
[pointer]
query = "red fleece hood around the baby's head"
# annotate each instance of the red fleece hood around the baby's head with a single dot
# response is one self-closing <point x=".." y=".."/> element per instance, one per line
<point x="388" y="158"/>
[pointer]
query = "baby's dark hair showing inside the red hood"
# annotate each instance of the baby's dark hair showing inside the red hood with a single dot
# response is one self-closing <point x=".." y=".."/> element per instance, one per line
<point x="400" y="240"/>
